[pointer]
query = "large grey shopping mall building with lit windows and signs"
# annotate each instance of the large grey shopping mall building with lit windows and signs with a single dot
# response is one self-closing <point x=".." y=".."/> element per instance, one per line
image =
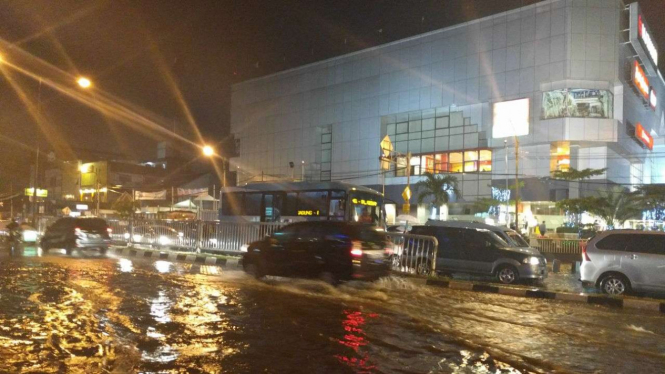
<point x="576" y="82"/>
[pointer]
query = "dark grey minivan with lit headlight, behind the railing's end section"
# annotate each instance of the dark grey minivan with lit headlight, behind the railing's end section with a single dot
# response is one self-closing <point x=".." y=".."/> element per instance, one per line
<point x="481" y="251"/>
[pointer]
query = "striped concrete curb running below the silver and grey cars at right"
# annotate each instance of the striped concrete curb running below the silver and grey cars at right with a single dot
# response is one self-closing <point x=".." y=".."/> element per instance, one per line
<point x="610" y="301"/>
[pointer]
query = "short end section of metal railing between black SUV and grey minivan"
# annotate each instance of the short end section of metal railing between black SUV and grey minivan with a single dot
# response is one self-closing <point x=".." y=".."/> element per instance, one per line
<point x="414" y="254"/>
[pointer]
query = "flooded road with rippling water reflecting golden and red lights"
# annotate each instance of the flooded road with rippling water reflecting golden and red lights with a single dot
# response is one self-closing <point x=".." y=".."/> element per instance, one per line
<point x="97" y="314"/>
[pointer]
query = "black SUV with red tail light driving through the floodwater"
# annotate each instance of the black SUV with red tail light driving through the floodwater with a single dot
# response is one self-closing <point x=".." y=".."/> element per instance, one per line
<point x="330" y="251"/>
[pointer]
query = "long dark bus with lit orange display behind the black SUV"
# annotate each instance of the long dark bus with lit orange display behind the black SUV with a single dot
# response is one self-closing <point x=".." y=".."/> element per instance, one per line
<point x="302" y="201"/>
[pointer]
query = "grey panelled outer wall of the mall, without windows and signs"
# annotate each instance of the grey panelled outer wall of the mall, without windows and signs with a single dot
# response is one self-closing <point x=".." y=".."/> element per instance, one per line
<point x="551" y="45"/>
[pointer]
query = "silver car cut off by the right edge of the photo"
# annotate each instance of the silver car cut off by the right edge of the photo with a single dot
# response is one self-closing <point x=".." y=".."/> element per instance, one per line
<point x="620" y="261"/>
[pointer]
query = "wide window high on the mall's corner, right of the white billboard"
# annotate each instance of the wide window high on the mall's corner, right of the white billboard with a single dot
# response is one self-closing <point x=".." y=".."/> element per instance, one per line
<point x="573" y="102"/>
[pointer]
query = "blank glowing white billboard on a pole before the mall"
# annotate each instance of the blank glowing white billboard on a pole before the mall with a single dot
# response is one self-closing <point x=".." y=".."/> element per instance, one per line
<point x="510" y="118"/>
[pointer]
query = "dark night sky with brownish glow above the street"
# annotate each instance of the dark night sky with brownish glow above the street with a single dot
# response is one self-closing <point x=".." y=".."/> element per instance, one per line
<point x="150" y="52"/>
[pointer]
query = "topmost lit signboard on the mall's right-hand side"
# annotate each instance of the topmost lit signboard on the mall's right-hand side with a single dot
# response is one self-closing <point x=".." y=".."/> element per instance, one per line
<point x="642" y="41"/>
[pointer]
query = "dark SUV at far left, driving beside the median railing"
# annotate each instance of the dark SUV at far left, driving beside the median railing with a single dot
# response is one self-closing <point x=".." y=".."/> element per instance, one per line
<point x="70" y="233"/>
